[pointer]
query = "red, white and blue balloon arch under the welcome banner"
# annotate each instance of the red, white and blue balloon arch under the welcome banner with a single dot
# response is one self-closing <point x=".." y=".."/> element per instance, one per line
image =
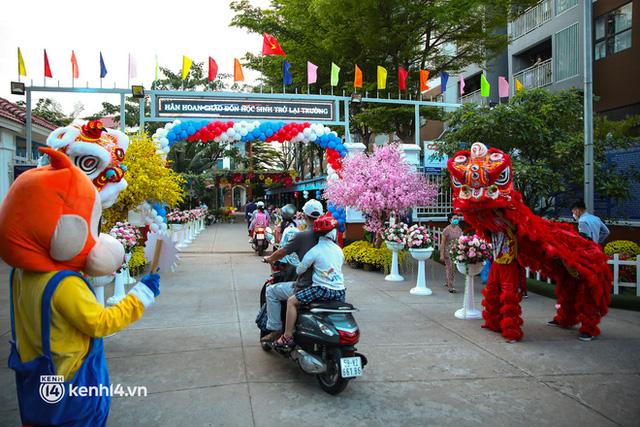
<point x="269" y="131"/>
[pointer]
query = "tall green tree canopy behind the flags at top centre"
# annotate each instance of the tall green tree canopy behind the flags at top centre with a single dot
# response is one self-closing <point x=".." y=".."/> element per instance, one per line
<point x="415" y="34"/>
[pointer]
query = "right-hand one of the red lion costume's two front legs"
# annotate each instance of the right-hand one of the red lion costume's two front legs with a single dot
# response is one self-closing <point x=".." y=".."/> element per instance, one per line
<point x="510" y="297"/>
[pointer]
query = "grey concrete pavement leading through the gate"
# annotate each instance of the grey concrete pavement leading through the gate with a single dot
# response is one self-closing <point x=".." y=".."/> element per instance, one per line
<point x="197" y="353"/>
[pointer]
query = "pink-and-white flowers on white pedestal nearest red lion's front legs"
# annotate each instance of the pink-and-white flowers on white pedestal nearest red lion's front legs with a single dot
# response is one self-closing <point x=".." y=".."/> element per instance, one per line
<point x="469" y="254"/>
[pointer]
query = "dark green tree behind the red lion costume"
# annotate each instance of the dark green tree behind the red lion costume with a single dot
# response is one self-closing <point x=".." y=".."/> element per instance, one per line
<point x="543" y="132"/>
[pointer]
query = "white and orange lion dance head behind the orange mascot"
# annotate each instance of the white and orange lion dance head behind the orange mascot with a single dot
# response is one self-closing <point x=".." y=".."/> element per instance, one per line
<point x="98" y="152"/>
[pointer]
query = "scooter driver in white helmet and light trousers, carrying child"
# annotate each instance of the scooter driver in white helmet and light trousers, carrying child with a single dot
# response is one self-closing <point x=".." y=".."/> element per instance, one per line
<point x="299" y="244"/>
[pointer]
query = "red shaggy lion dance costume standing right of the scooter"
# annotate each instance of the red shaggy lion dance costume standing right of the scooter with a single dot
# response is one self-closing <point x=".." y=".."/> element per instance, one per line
<point x="483" y="192"/>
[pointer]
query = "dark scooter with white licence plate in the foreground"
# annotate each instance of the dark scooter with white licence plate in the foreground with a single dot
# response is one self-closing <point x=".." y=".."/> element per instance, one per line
<point x="324" y="339"/>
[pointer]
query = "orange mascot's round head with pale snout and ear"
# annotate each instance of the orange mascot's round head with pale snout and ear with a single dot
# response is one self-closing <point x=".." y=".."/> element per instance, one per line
<point x="50" y="221"/>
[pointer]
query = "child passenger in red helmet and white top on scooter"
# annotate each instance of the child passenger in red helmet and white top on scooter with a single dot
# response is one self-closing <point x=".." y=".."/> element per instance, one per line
<point x="327" y="281"/>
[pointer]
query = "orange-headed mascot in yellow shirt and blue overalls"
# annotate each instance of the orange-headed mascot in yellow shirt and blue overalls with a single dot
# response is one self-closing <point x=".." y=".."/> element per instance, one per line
<point x="49" y="234"/>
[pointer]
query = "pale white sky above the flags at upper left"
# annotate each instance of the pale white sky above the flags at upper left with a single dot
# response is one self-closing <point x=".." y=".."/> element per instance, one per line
<point x="142" y="28"/>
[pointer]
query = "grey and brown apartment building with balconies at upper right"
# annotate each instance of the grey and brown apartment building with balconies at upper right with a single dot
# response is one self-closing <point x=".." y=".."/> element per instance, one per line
<point x="546" y="49"/>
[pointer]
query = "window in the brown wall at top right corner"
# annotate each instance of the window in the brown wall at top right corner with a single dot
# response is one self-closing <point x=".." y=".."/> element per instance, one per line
<point x="613" y="32"/>
